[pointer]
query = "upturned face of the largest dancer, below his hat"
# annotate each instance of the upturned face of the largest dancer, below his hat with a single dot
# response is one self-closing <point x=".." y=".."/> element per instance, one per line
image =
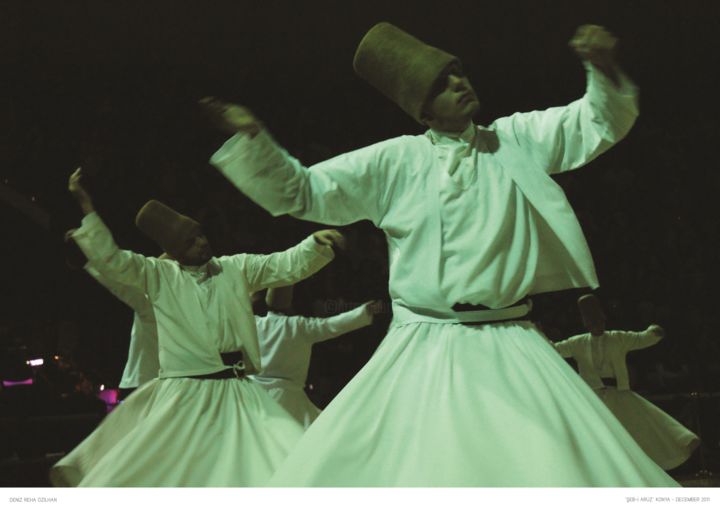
<point x="452" y="102"/>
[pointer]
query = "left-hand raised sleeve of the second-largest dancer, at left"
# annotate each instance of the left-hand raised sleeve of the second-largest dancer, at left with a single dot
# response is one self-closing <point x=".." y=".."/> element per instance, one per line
<point x="121" y="267"/>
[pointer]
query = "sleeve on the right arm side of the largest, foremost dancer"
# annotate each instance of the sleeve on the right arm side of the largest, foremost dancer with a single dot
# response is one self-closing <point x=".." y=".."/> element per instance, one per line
<point x="564" y="138"/>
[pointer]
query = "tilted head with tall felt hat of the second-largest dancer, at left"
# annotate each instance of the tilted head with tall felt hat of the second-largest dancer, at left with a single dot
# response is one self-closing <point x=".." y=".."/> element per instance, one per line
<point x="181" y="237"/>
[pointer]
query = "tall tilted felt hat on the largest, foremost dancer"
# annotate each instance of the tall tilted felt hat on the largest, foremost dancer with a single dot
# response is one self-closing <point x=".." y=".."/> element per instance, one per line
<point x="402" y="67"/>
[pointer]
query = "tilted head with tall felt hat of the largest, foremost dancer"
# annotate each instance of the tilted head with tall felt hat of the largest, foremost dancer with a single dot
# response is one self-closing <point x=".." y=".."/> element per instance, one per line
<point x="424" y="81"/>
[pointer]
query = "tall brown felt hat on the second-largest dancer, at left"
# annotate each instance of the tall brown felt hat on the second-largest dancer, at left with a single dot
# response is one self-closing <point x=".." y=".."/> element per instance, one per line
<point x="167" y="227"/>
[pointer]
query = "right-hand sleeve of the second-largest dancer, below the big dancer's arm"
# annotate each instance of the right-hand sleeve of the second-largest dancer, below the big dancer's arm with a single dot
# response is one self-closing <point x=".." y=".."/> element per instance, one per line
<point x="283" y="268"/>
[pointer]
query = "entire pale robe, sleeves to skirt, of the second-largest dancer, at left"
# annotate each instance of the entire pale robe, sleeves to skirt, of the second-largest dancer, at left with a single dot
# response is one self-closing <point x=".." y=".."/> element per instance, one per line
<point x="180" y="431"/>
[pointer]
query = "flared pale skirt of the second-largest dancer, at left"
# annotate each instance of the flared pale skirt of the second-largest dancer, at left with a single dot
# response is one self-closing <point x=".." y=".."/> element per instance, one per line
<point x="184" y="432"/>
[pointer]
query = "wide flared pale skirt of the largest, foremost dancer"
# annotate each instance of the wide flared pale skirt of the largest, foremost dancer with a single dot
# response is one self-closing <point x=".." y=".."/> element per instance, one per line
<point x="454" y="405"/>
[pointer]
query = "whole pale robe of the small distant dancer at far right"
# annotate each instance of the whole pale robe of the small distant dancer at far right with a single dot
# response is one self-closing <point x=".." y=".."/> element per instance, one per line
<point x="665" y="440"/>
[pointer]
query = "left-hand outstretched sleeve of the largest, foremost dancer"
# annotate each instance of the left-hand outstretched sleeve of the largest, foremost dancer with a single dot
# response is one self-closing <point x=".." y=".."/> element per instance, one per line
<point x="340" y="191"/>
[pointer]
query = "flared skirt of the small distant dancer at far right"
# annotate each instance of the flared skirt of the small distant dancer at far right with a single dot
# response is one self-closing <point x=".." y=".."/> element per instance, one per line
<point x="665" y="440"/>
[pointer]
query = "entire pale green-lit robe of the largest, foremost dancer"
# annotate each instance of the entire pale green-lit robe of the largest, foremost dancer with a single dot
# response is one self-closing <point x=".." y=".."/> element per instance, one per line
<point x="468" y="219"/>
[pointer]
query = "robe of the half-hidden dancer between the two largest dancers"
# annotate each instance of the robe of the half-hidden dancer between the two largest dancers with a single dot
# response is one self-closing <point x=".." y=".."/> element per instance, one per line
<point x="285" y="348"/>
